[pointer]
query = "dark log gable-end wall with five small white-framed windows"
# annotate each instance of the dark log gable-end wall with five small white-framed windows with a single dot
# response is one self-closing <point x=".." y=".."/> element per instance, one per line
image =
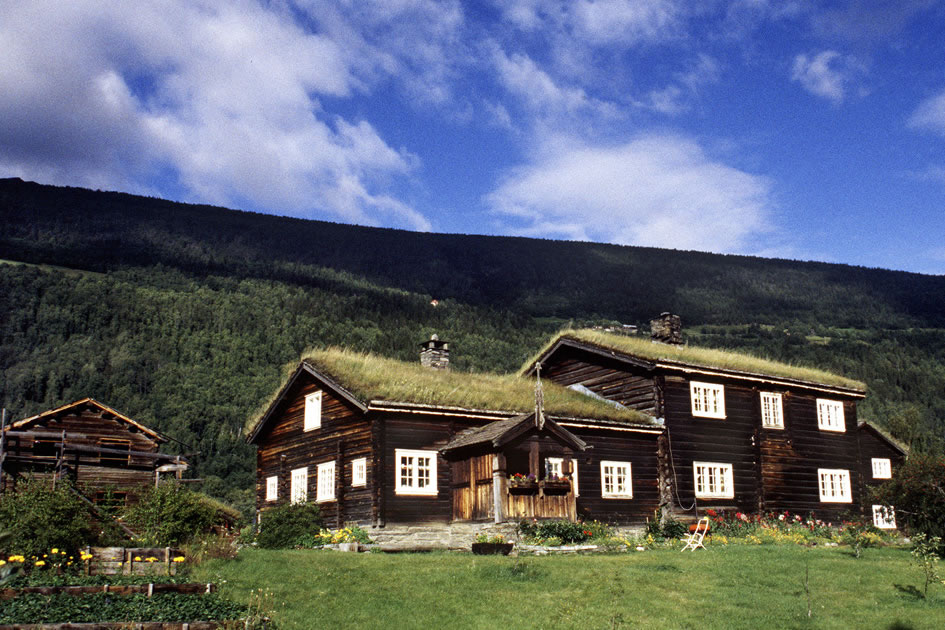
<point x="344" y="435"/>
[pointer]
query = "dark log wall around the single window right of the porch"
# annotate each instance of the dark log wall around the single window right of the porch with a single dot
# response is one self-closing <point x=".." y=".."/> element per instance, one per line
<point x="637" y="448"/>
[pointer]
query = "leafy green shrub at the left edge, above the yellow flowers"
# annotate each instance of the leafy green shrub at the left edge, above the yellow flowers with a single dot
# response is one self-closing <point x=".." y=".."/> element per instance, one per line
<point x="39" y="518"/>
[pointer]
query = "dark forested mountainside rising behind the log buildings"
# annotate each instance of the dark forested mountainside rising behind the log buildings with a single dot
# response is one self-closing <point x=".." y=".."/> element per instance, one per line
<point x="183" y="316"/>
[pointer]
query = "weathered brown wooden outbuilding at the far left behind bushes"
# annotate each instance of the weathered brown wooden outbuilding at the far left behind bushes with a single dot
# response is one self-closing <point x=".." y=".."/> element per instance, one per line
<point x="105" y="453"/>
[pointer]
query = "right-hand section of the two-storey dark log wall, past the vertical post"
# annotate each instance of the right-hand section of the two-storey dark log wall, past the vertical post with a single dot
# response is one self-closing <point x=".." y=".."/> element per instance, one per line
<point x="790" y="458"/>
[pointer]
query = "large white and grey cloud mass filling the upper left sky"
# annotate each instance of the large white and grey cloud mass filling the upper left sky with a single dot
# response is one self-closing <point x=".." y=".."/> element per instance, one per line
<point x="224" y="95"/>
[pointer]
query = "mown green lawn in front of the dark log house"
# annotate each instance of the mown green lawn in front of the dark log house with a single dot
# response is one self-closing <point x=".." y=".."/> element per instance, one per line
<point x="723" y="587"/>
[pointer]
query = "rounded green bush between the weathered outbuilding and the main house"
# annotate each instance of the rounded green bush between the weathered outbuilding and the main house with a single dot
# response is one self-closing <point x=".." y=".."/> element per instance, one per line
<point x="170" y="515"/>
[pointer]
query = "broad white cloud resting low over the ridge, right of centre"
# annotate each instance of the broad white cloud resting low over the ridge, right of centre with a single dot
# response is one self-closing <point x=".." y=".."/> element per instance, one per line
<point x="660" y="191"/>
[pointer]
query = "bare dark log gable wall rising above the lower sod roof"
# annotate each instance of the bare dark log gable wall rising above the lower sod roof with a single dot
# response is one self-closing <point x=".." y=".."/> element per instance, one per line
<point x="608" y="377"/>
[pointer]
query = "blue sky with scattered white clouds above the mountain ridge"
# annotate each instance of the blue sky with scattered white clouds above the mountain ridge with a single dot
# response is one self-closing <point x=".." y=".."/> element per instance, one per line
<point x="802" y="130"/>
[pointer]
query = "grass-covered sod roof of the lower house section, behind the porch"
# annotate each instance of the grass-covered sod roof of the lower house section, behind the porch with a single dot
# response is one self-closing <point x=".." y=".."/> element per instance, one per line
<point x="373" y="378"/>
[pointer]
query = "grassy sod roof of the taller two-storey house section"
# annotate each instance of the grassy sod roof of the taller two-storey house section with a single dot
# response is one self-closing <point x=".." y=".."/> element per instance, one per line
<point x="703" y="357"/>
